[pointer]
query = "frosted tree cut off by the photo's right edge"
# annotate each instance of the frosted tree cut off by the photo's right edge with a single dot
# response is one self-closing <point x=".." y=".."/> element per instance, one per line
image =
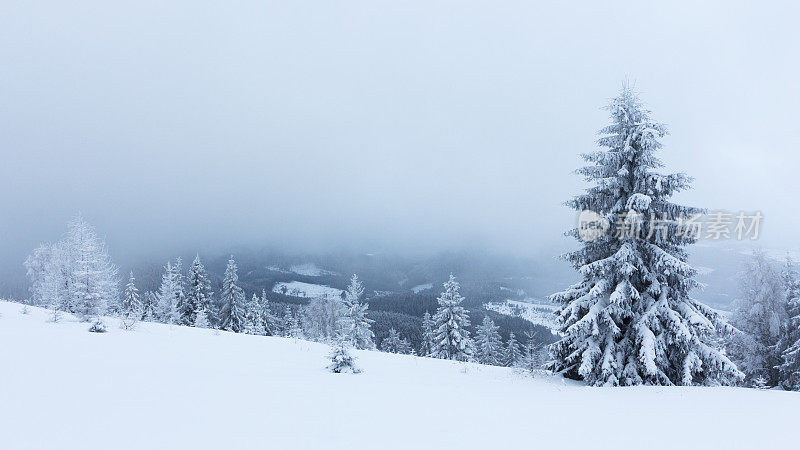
<point x="790" y="340"/>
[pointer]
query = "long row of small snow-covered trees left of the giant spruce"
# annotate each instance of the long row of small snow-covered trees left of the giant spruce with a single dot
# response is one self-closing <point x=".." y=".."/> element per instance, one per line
<point x="76" y="275"/>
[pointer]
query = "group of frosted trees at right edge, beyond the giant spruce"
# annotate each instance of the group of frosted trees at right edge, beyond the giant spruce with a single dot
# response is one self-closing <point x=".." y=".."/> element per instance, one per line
<point x="766" y="345"/>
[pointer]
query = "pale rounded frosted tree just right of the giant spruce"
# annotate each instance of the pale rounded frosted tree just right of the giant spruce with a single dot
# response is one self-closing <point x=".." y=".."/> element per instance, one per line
<point x="759" y="314"/>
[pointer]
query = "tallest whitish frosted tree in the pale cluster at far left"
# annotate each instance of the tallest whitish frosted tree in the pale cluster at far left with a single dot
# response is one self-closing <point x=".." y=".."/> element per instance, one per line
<point x="94" y="280"/>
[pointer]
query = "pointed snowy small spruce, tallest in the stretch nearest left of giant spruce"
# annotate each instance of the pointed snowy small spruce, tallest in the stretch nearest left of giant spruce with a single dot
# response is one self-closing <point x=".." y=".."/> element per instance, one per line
<point x="451" y="339"/>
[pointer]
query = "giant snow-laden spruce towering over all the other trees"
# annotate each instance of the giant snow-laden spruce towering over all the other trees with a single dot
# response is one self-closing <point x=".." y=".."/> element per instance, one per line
<point x="630" y="319"/>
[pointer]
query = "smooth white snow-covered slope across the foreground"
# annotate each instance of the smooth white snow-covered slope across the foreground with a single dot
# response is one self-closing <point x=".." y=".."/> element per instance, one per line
<point x="162" y="386"/>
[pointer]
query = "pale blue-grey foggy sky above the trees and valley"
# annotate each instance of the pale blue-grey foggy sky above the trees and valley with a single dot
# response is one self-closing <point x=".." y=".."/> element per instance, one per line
<point x="415" y="124"/>
